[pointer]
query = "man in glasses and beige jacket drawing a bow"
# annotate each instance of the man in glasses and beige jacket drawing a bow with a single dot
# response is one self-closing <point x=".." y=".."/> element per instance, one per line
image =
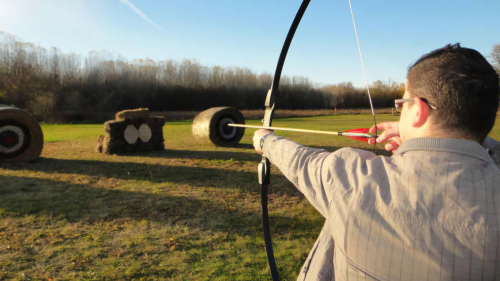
<point x="430" y="212"/>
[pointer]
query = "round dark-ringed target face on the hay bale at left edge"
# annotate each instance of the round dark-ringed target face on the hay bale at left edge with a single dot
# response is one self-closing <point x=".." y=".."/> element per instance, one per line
<point x="14" y="138"/>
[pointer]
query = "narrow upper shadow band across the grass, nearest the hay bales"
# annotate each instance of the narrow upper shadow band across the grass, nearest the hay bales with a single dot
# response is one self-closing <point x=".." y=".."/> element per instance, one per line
<point x="219" y="174"/>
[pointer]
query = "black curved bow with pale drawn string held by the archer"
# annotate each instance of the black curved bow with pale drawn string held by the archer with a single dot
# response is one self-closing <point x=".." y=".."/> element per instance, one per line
<point x="264" y="168"/>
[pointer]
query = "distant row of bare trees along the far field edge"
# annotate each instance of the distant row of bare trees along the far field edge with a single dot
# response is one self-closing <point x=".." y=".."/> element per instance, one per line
<point x="59" y="87"/>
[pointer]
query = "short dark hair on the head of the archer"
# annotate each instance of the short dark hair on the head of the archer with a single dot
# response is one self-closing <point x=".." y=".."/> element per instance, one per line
<point x="462" y="85"/>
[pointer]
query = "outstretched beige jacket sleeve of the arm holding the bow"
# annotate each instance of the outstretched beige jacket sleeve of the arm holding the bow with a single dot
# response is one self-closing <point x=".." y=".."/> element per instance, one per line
<point x="315" y="172"/>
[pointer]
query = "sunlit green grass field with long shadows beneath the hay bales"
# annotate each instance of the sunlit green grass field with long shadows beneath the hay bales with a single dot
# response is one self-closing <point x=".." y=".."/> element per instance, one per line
<point x="190" y="212"/>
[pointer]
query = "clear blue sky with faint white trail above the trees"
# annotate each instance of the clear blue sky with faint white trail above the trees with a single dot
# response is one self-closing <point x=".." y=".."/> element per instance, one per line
<point x="250" y="33"/>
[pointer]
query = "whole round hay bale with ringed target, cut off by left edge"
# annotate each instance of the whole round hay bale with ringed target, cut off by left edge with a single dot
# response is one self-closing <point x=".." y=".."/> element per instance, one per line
<point x="21" y="138"/>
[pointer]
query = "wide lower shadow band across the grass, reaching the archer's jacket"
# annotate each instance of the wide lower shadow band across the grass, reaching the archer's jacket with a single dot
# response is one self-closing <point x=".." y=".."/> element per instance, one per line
<point x="23" y="196"/>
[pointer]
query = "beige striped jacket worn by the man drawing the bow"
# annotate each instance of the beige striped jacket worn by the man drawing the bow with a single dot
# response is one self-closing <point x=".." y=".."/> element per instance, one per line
<point x="430" y="212"/>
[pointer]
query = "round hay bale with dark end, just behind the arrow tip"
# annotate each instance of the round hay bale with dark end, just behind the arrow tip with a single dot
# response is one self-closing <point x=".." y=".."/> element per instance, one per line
<point x="210" y="126"/>
